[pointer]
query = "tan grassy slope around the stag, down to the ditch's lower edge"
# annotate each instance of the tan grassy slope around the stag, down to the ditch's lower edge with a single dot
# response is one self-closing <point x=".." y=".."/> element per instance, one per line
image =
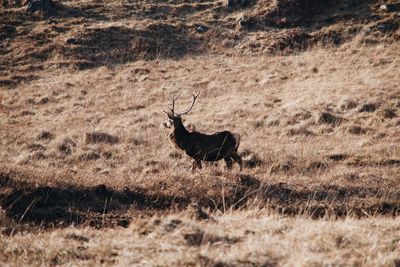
<point x="90" y="151"/>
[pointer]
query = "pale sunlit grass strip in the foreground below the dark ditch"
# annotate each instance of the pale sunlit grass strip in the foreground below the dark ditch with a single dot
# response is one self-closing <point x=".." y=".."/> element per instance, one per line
<point x="246" y="238"/>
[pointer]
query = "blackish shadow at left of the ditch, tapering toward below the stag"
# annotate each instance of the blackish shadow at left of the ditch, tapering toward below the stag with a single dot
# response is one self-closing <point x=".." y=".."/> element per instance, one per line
<point x="96" y="206"/>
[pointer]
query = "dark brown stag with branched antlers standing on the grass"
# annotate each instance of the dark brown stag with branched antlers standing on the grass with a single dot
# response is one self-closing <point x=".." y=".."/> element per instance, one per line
<point x="198" y="146"/>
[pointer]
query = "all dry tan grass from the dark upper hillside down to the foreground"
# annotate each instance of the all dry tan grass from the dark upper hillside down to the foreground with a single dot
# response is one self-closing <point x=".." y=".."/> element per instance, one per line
<point x="331" y="172"/>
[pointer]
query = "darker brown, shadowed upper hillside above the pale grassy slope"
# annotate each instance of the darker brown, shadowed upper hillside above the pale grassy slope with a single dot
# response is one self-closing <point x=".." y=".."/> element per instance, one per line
<point x="89" y="34"/>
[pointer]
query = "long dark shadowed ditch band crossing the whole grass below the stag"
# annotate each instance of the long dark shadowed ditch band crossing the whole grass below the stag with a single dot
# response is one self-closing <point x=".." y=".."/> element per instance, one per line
<point x="99" y="206"/>
